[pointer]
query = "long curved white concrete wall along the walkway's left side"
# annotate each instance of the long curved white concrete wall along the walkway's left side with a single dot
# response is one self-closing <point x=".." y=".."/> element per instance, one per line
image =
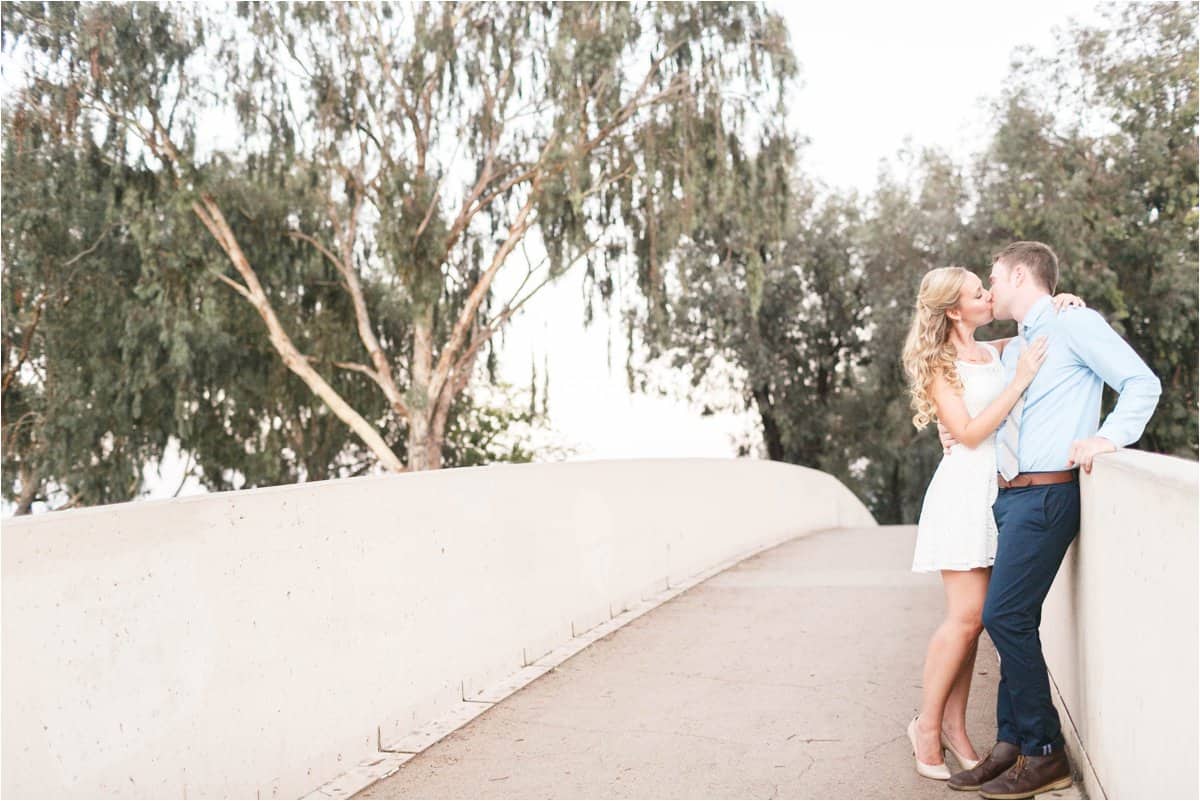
<point x="257" y="643"/>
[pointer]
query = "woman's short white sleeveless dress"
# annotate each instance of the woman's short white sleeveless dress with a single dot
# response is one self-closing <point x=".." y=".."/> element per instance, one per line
<point x="957" y="529"/>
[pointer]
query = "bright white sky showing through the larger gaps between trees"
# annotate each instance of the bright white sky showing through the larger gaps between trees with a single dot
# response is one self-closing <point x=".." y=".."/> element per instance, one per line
<point x="873" y="77"/>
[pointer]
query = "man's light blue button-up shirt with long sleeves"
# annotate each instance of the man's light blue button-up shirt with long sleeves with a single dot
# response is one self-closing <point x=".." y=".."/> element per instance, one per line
<point x="1064" y="402"/>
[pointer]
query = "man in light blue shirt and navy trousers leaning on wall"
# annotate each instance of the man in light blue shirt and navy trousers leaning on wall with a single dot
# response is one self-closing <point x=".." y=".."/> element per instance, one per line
<point x="1049" y="435"/>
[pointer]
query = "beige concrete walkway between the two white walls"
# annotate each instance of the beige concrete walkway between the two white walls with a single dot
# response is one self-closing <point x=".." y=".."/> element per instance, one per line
<point x="790" y="676"/>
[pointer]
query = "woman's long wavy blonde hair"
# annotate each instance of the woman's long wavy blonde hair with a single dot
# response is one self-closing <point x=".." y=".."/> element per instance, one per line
<point x="928" y="351"/>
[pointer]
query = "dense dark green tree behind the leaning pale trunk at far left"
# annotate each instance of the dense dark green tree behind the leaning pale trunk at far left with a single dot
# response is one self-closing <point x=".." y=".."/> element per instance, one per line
<point x="110" y="351"/>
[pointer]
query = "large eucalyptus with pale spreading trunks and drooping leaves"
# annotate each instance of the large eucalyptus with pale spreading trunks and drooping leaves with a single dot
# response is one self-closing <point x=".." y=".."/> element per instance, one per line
<point x="417" y="152"/>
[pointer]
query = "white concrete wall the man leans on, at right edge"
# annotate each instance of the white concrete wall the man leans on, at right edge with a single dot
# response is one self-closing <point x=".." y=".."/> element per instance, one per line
<point x="1120" y="629"/>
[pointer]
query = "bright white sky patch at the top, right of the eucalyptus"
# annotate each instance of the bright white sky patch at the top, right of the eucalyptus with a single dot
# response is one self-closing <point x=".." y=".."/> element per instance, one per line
<point x="877" y="75"/>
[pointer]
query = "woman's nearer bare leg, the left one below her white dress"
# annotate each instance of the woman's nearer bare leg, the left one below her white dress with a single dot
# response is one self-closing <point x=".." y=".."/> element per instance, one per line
<point x="949" y="649"/>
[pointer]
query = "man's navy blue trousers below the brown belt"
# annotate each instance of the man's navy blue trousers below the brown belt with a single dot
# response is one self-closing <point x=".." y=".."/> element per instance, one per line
<point x="1036" y="526"/>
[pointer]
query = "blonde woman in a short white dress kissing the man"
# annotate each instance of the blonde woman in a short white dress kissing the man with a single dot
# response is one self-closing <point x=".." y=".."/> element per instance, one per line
<point x="961" y="383"/>
